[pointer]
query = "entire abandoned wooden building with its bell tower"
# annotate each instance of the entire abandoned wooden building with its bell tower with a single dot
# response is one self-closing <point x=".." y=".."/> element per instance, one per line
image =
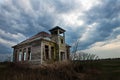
<point x="43" y="47"/>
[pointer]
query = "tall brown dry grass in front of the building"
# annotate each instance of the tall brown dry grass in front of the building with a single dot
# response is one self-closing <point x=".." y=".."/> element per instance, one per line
<point x="56" y="71"/>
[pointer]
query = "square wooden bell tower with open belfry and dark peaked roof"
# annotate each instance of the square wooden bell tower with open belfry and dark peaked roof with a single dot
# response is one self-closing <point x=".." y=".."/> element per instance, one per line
<point x="58" y="36"/>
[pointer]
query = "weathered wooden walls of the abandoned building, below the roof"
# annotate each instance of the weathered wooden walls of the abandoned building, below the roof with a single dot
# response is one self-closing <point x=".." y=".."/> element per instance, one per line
<point x="38" y="51"/>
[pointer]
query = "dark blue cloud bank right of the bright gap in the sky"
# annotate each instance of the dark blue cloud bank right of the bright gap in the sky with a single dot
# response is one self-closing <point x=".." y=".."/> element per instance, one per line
<point x="107" y="17"/>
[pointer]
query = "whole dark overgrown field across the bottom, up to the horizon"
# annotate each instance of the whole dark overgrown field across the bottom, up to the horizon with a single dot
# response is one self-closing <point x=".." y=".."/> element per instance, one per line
<point x="76" y="70"/>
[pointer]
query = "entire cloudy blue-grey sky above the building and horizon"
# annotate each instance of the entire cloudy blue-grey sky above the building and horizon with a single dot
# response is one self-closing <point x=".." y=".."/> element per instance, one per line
<point x="95" y="23"/>
